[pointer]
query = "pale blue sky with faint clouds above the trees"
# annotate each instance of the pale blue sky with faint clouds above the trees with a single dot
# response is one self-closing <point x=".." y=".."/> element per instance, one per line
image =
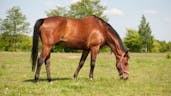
<point x="122" y="14"/>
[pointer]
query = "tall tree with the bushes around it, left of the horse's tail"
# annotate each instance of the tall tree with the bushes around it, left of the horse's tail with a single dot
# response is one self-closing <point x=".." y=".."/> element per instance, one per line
<point x="14" y="30"/>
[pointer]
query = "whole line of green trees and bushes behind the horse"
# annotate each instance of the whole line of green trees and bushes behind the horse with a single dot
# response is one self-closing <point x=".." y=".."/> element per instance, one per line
<point x="14" y="29"/>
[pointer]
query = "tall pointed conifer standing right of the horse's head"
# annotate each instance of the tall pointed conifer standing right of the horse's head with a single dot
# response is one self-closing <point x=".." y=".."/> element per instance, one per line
<point x="145" y="35"/>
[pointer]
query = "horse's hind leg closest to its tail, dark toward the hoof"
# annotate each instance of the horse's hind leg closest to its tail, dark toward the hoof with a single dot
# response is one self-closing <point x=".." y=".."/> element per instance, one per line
<point x="45" y="53"/>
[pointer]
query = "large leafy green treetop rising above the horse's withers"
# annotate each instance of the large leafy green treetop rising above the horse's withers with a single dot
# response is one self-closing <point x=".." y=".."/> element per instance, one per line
<point x="87" y="8"/>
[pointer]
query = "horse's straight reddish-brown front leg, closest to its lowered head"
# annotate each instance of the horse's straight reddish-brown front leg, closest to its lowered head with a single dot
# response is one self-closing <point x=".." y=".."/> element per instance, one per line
<point x="94" y="52"/>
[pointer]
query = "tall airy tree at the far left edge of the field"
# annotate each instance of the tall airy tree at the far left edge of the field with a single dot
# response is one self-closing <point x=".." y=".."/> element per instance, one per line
<point x="11" y="27"/>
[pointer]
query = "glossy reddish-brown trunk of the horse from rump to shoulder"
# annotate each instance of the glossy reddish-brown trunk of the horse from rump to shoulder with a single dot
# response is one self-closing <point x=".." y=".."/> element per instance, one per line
<point x="75" y="33"/>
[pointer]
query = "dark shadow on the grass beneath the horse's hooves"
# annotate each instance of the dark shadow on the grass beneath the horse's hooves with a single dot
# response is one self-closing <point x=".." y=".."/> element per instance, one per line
<point x="43" y="80"/>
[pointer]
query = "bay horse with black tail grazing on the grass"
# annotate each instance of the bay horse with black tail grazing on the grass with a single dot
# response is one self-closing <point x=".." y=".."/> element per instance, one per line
<point x="88" y="34"/>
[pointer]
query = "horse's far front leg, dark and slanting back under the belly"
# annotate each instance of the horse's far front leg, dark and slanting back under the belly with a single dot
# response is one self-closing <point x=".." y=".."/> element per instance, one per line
<point x="81" y="63"/>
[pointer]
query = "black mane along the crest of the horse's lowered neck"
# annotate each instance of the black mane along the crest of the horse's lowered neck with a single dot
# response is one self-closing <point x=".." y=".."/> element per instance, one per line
<point x="113" y="31"/>
